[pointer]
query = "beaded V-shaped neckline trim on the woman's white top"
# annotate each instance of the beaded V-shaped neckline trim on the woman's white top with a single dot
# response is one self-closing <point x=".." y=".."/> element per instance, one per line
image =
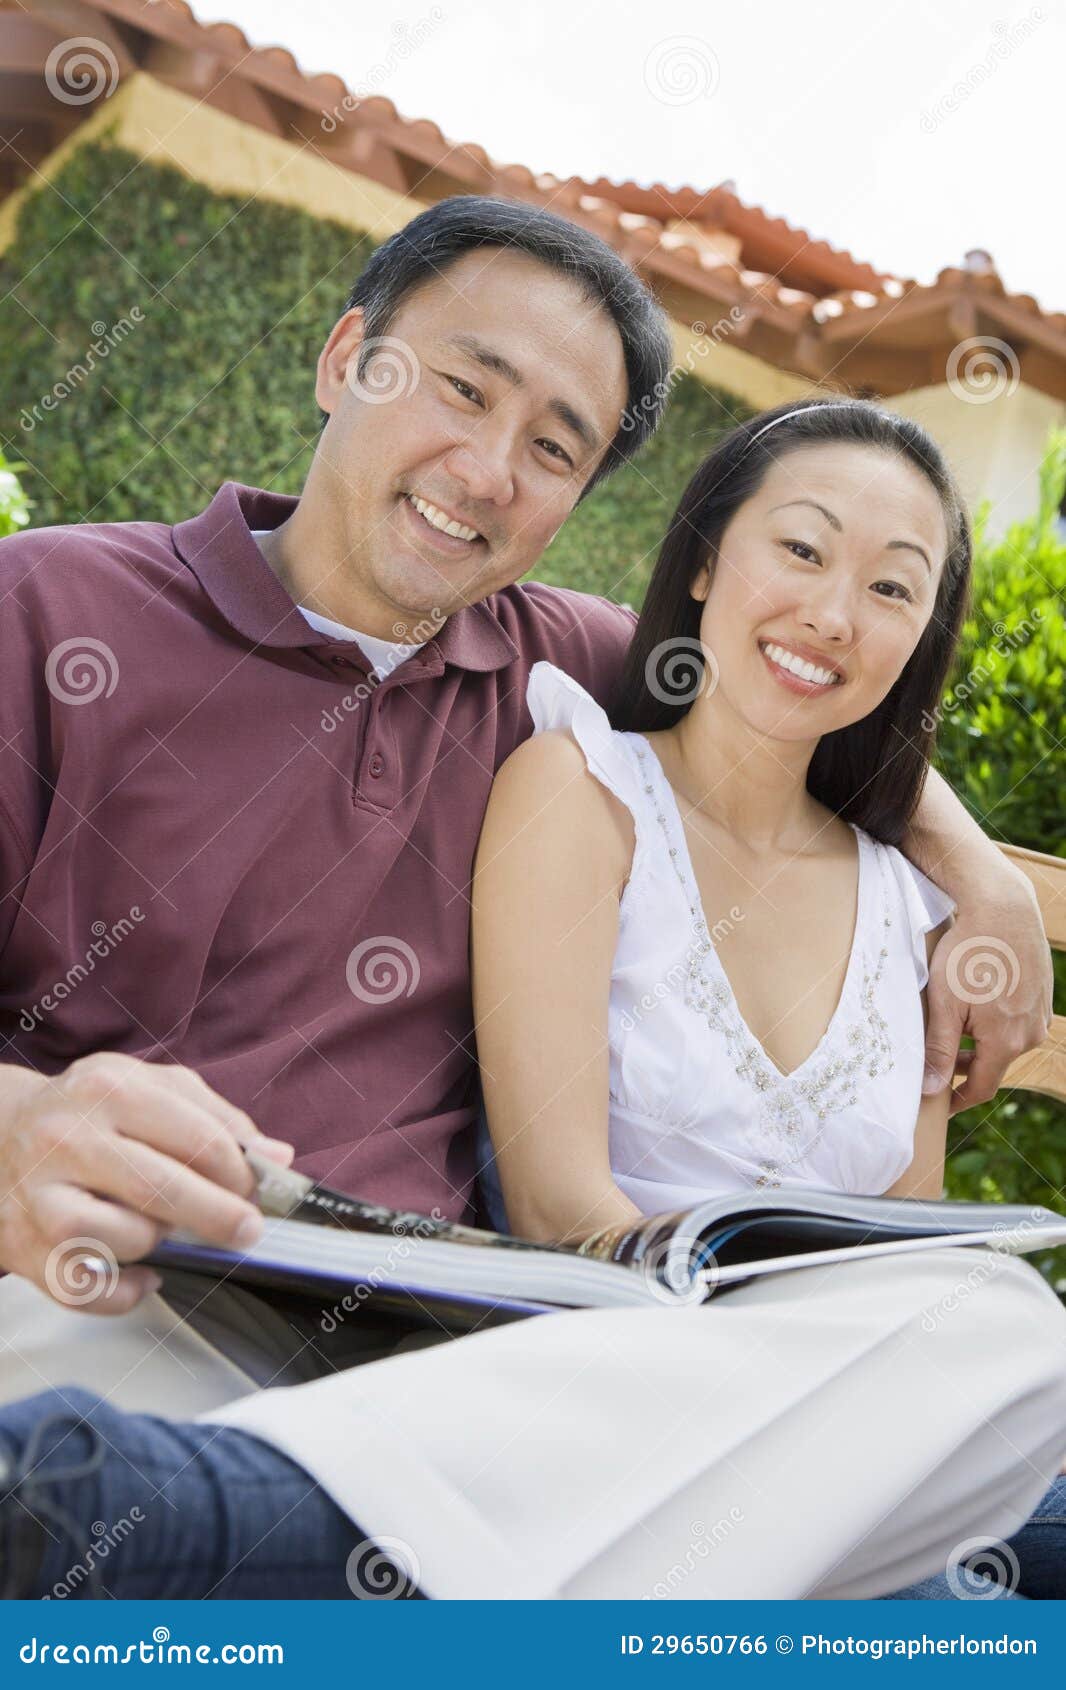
<point x="759" y="1066"/>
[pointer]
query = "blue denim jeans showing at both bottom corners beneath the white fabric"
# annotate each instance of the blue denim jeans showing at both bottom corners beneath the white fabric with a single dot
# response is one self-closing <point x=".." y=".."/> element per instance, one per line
<point x="99" y="1503"/>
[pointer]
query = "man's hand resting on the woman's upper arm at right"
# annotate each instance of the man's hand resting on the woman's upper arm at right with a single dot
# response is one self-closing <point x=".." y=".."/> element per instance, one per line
<point x="991" y="978"/>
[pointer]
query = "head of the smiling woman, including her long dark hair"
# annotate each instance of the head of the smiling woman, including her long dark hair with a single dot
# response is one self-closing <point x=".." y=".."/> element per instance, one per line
<point x="837" y="533"/>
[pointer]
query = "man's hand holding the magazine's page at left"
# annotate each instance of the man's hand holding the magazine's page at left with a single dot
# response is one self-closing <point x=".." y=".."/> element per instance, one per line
<point x="102" y="1160"/>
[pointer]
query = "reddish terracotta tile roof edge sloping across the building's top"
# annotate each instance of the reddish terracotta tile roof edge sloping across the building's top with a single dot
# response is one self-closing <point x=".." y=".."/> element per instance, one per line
<point x="707" y="243"/>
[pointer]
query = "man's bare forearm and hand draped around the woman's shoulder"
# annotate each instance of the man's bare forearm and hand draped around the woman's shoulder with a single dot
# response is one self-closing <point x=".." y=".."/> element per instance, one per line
<point x="991" y="974"/>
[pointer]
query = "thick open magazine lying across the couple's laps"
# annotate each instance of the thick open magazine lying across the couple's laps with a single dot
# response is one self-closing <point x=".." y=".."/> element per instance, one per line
<point x="324" y="1243"/>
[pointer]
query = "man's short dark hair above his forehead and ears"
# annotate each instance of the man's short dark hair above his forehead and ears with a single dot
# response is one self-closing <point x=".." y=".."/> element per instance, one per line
<point x="423" y="249"/>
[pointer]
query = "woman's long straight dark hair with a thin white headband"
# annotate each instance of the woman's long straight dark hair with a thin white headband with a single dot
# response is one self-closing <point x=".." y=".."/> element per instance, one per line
<point x="871" y="773"/>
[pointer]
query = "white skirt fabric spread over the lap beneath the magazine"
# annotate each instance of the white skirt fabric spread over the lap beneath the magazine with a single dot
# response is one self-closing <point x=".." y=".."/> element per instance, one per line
<point x="830" y="1432"/>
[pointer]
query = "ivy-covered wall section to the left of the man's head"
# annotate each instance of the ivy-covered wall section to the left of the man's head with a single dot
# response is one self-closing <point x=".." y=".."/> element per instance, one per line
<point x="207" y="313"/>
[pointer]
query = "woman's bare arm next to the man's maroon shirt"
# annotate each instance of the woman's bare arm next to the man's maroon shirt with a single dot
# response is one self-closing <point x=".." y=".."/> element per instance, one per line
<point x="552" y="861"/>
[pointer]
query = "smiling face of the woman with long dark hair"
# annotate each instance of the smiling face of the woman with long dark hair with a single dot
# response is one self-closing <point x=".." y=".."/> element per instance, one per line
<point x="825" y="582"/>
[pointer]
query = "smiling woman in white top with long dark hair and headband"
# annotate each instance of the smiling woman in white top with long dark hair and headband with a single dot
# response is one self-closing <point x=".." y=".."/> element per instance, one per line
<point x="812" y="586"/>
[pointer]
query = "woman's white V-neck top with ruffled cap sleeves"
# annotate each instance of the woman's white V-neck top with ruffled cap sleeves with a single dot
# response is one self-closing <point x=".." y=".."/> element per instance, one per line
<point x="697" y="1106"/>
